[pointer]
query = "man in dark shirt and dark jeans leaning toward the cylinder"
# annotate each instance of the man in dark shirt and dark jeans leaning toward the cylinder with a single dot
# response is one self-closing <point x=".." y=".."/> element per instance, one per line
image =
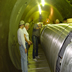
<point x="35" y="39"/>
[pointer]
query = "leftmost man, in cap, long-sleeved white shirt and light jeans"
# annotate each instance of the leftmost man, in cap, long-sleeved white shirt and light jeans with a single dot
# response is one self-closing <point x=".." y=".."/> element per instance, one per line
<point x="22" y="47"/>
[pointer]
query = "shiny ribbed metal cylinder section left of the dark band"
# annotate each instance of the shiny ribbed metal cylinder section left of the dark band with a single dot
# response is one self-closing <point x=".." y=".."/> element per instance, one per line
<point x="52" y="39"/>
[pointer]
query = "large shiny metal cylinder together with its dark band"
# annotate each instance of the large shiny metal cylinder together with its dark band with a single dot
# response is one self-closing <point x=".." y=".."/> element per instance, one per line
<point x="54" y="40"/>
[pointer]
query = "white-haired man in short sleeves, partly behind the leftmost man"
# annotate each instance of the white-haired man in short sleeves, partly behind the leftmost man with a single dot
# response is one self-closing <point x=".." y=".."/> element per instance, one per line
<point x="26" y="36"/>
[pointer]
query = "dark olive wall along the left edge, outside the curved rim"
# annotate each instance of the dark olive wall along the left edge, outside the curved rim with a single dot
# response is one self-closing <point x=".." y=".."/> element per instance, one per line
<point x="6" y="64"/>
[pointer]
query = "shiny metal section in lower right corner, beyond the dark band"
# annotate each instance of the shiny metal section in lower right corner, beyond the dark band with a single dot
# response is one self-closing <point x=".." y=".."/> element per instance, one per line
<point x="66" y="65"/>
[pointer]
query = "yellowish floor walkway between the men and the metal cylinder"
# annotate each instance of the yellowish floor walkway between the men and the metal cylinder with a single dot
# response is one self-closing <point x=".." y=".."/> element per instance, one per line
<point x="41" y="65"/>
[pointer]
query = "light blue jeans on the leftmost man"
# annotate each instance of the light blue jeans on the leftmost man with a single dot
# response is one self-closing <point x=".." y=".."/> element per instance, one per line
<point x="23" y="59"/>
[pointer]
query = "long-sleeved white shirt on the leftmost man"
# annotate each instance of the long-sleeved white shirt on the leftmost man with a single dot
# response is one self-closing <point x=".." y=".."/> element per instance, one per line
<point x="21" y="39"/>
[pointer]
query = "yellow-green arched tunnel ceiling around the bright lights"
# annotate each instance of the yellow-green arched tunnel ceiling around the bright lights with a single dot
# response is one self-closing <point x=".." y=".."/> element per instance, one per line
<point x="60" y="9"/>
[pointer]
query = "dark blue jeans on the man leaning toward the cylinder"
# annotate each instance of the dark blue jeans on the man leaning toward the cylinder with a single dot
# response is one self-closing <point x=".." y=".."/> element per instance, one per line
<point x="35" y="46"/>
